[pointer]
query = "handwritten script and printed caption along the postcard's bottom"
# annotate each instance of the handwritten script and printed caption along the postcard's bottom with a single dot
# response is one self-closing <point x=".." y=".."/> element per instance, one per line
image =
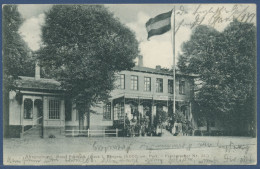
<point x="199" y="153"/>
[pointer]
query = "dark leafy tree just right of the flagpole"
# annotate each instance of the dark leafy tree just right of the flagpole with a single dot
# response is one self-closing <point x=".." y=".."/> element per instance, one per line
<point x="199" y="57"/>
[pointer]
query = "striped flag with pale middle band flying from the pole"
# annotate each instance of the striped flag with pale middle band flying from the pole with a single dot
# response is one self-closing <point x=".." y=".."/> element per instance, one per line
<point x="159" y="24"/>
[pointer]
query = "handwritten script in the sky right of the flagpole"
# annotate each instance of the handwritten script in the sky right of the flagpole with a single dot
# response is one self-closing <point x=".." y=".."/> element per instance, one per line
<point x="214" y="16"/>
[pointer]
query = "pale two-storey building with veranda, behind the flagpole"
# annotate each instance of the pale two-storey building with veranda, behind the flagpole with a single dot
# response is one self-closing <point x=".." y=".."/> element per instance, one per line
<point x="146" y="91"/>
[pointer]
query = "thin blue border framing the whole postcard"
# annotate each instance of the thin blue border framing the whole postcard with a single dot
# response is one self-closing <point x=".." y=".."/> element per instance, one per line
<point x="136" y="2"/>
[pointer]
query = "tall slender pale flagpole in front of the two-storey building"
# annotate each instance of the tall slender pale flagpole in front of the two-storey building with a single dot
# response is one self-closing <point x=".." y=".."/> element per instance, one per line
<point x="173" y="52"/>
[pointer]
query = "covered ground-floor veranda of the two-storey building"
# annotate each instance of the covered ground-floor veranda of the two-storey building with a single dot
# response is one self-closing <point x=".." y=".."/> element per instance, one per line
<point x="134" y="108"/>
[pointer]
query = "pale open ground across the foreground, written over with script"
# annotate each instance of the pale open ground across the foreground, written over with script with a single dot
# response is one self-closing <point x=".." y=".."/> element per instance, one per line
<point x="135" y="150"/>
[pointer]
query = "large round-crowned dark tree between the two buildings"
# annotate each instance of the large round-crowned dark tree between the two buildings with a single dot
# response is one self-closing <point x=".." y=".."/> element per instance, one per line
<point x="83" y="47"/>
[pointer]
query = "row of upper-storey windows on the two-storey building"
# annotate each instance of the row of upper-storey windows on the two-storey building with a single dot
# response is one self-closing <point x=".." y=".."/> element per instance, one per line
<point x="147" y="84"/>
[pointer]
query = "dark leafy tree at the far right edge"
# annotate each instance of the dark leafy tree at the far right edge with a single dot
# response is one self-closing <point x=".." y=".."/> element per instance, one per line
<point x="241" y="75"/>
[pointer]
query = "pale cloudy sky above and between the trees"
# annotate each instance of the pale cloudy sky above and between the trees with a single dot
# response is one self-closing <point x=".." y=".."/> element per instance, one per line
<point x="158" y="49"/>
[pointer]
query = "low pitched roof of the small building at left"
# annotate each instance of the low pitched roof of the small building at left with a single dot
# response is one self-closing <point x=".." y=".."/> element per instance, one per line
<point x="42" y="83"/>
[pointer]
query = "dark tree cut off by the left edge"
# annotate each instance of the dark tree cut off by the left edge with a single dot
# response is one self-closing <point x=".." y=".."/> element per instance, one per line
<point x="17" y="60"/>
